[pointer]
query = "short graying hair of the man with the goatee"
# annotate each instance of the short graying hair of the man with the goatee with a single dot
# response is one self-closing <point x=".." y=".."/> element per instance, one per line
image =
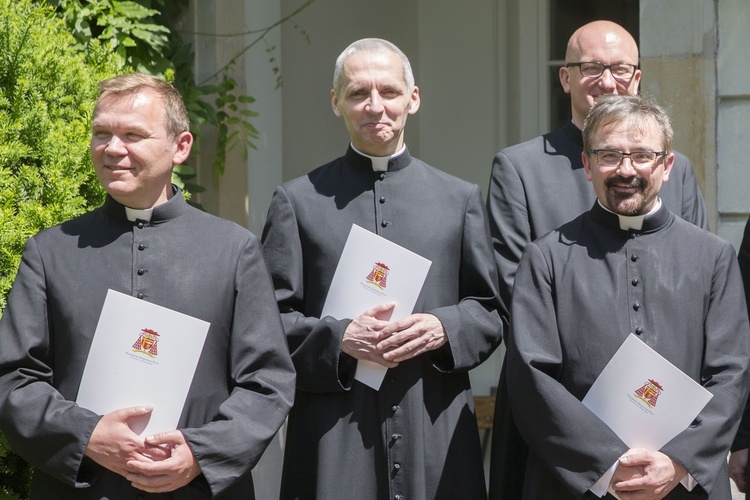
<point x="632" y="109"/>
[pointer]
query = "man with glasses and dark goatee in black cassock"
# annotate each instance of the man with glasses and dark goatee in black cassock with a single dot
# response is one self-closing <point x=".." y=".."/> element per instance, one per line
<point x="627" y="266"/>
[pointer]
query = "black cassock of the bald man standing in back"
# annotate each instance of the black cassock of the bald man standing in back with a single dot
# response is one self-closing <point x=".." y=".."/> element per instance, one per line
<point x="535" y="187"/>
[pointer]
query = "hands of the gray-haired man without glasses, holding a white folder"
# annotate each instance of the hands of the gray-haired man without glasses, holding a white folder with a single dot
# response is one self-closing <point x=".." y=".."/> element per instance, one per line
<point x="371" y="337"/>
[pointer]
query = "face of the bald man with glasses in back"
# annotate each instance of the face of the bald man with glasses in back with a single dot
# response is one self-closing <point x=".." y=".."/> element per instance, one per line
<point x="604" y="42"/>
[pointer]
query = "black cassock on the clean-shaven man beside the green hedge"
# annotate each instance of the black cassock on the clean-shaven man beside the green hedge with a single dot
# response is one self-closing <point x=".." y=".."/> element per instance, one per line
<point x="185" y="260"/>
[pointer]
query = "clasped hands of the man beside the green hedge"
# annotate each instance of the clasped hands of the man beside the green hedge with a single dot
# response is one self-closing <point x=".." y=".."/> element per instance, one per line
<point x="159" y="463"/>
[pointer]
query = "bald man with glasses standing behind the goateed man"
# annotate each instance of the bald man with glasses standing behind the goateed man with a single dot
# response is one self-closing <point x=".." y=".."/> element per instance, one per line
<point x="541" y="184"/>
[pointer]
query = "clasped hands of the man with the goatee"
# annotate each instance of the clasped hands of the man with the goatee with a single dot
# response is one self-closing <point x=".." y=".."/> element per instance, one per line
<point x="646" y="475"/>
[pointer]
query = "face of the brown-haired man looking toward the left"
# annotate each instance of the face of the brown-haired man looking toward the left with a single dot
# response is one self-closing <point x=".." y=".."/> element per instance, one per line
<point x="132" y="150"/>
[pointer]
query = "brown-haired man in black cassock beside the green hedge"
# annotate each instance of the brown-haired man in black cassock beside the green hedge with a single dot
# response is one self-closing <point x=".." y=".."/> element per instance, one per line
<point x="147" y="242"/>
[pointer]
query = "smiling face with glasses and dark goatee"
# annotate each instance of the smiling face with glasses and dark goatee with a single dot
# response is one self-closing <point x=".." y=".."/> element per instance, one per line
<point x="626" y="190"/>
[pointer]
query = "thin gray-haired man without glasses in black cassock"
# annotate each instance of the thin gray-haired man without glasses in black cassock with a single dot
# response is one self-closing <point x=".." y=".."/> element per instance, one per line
<point x="415" y="437"/>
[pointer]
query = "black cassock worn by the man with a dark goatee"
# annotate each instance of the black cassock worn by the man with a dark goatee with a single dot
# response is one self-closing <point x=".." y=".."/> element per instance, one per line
<point x="580" y="291"/>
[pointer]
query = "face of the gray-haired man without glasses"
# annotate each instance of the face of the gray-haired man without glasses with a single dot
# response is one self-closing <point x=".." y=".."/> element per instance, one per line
<point x="375" y="101"/>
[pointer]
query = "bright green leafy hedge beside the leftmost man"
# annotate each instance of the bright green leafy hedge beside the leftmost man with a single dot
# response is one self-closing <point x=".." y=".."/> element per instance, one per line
<point x="47" y="92"/>
